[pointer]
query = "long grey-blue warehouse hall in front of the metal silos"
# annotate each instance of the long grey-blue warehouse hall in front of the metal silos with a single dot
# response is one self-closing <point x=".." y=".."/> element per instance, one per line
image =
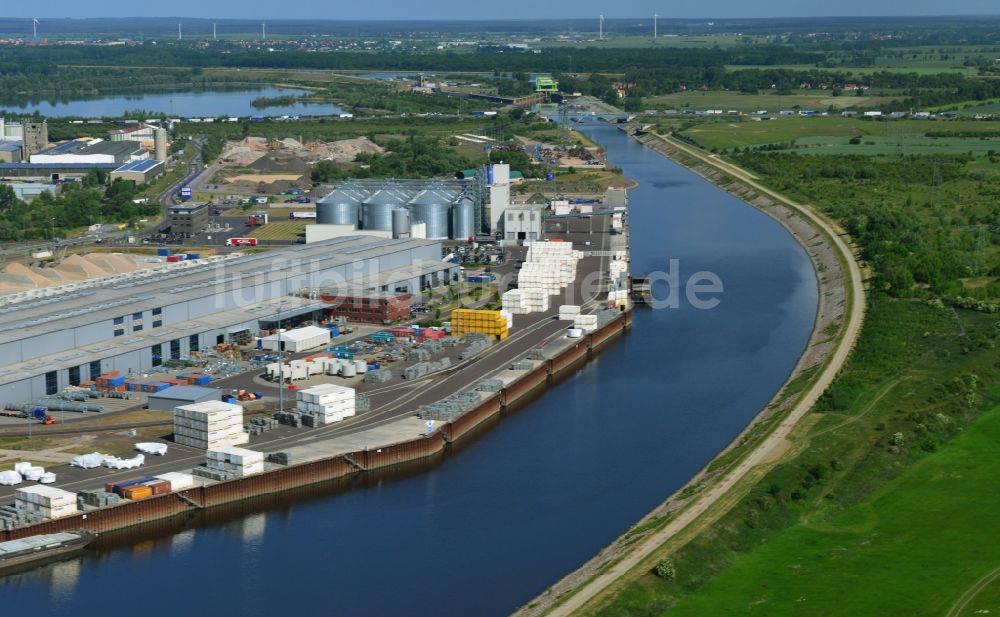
<point x="54" y="337"/>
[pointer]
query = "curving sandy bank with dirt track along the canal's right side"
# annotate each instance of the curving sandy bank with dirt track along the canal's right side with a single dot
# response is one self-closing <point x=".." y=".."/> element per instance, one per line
<point x="762" y="444"/>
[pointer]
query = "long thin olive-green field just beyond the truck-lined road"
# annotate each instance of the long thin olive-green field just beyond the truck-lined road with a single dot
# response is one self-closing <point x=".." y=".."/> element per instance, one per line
<point x="726" y="100"/>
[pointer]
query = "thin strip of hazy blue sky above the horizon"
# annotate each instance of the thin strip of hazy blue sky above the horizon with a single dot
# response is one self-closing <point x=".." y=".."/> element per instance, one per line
<point x="516" y="9"/>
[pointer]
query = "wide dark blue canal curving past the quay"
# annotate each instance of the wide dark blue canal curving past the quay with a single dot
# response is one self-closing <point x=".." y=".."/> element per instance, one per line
<point x="499" y="521"/>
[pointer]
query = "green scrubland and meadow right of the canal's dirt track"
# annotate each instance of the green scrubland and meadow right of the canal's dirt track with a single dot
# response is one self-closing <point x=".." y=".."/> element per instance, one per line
<point x="882" y="506"/>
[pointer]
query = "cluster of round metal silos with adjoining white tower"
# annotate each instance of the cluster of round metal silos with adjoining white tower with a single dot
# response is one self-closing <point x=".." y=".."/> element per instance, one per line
<point x="434" y="209"/>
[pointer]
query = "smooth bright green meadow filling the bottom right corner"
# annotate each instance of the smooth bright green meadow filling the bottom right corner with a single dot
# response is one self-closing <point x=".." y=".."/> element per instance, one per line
<point x="912" y="548"/>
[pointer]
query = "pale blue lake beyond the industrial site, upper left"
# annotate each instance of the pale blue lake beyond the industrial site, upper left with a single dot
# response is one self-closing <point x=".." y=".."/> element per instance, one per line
<point x="196" y="104"/>
